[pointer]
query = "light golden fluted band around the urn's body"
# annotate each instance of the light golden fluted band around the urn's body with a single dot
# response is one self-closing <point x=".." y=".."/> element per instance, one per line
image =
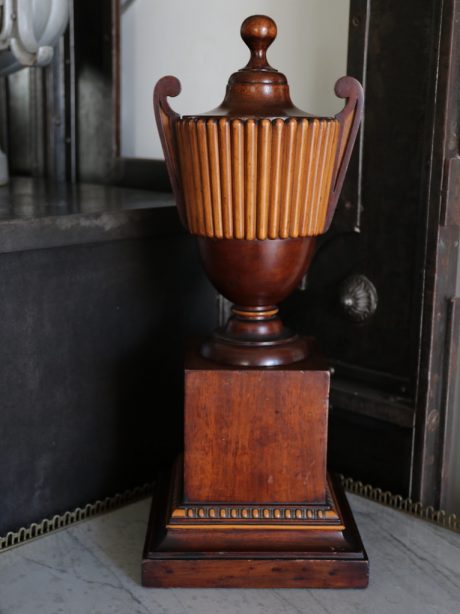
<point x="257" y="179"/>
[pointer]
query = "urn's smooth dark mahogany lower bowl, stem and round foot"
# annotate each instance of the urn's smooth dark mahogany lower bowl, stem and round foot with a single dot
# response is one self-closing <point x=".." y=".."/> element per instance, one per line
<point x="254" y="336"/>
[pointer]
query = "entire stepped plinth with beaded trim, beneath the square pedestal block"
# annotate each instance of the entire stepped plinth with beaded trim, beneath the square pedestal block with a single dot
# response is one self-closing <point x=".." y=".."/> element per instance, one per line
<point x="251" y="546"/>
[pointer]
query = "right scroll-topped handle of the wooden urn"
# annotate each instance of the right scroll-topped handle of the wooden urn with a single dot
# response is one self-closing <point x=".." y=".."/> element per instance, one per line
<point x="349" y="119"/>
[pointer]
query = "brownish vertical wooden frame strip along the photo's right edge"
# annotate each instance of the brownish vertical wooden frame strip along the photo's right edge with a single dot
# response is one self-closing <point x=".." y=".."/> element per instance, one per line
<point x="432" y="477"/>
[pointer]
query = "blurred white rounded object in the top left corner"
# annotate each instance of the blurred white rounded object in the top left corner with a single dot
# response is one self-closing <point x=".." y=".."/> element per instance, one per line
<point x="28" y="31"/>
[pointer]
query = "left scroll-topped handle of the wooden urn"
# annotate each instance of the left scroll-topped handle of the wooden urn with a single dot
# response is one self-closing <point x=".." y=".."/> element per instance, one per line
<point x="165" y="119"/>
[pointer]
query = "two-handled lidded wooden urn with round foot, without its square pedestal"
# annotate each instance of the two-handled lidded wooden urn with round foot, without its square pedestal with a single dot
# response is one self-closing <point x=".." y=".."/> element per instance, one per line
<point x="257" y="180"/>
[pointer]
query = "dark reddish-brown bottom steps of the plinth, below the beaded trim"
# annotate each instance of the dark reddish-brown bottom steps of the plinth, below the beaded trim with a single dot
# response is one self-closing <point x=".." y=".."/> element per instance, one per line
<point x="252" y="558"/>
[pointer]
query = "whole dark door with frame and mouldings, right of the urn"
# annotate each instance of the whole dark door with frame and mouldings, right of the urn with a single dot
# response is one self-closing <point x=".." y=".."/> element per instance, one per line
<point x="391" y="368"/>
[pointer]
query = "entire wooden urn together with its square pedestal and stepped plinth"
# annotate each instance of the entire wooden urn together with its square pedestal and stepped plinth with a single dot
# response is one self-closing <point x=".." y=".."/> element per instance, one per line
<point x="250" y="503"/>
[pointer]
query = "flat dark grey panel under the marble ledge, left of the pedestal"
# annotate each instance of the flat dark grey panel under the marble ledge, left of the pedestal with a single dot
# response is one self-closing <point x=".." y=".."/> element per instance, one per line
<point x="91" y="377"/>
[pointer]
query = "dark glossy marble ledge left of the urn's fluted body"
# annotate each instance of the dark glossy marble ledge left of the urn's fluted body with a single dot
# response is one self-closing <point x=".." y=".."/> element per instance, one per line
<point x="38" y="215"/>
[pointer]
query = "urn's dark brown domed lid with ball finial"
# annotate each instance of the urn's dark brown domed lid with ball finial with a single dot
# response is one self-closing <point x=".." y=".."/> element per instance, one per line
<point x="258" y="89"/>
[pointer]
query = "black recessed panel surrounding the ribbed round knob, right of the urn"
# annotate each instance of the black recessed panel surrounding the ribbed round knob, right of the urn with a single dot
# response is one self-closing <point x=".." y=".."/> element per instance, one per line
<point x="385" y="250"/>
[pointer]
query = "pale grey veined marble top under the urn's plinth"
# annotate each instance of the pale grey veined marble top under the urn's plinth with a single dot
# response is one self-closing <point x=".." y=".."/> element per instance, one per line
<point x="94" y="568"/>
